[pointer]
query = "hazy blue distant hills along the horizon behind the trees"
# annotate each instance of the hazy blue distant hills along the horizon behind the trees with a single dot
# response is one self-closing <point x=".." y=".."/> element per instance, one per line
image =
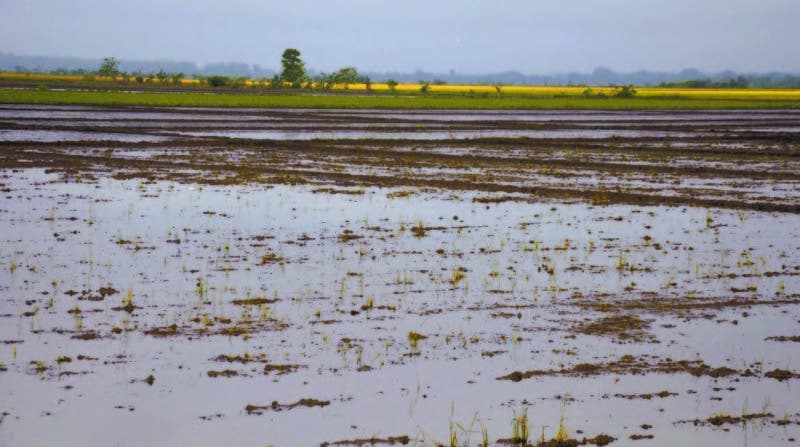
<point x="599" y="76"/>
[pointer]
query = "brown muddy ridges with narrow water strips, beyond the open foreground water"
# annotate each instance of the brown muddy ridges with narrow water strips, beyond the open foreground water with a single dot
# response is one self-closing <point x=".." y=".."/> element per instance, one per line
<point x="728" y="160"/>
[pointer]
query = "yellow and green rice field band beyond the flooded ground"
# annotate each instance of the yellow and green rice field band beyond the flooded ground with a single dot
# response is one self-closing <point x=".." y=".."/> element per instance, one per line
<point x="253" y="94"/>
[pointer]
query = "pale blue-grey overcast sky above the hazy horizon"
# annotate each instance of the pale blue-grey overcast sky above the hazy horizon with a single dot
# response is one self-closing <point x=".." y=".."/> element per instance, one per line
<point x="533" y="36"/>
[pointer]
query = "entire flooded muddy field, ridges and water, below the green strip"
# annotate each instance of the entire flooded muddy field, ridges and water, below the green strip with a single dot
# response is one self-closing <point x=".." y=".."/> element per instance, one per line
<point x="317" y="277"/>
